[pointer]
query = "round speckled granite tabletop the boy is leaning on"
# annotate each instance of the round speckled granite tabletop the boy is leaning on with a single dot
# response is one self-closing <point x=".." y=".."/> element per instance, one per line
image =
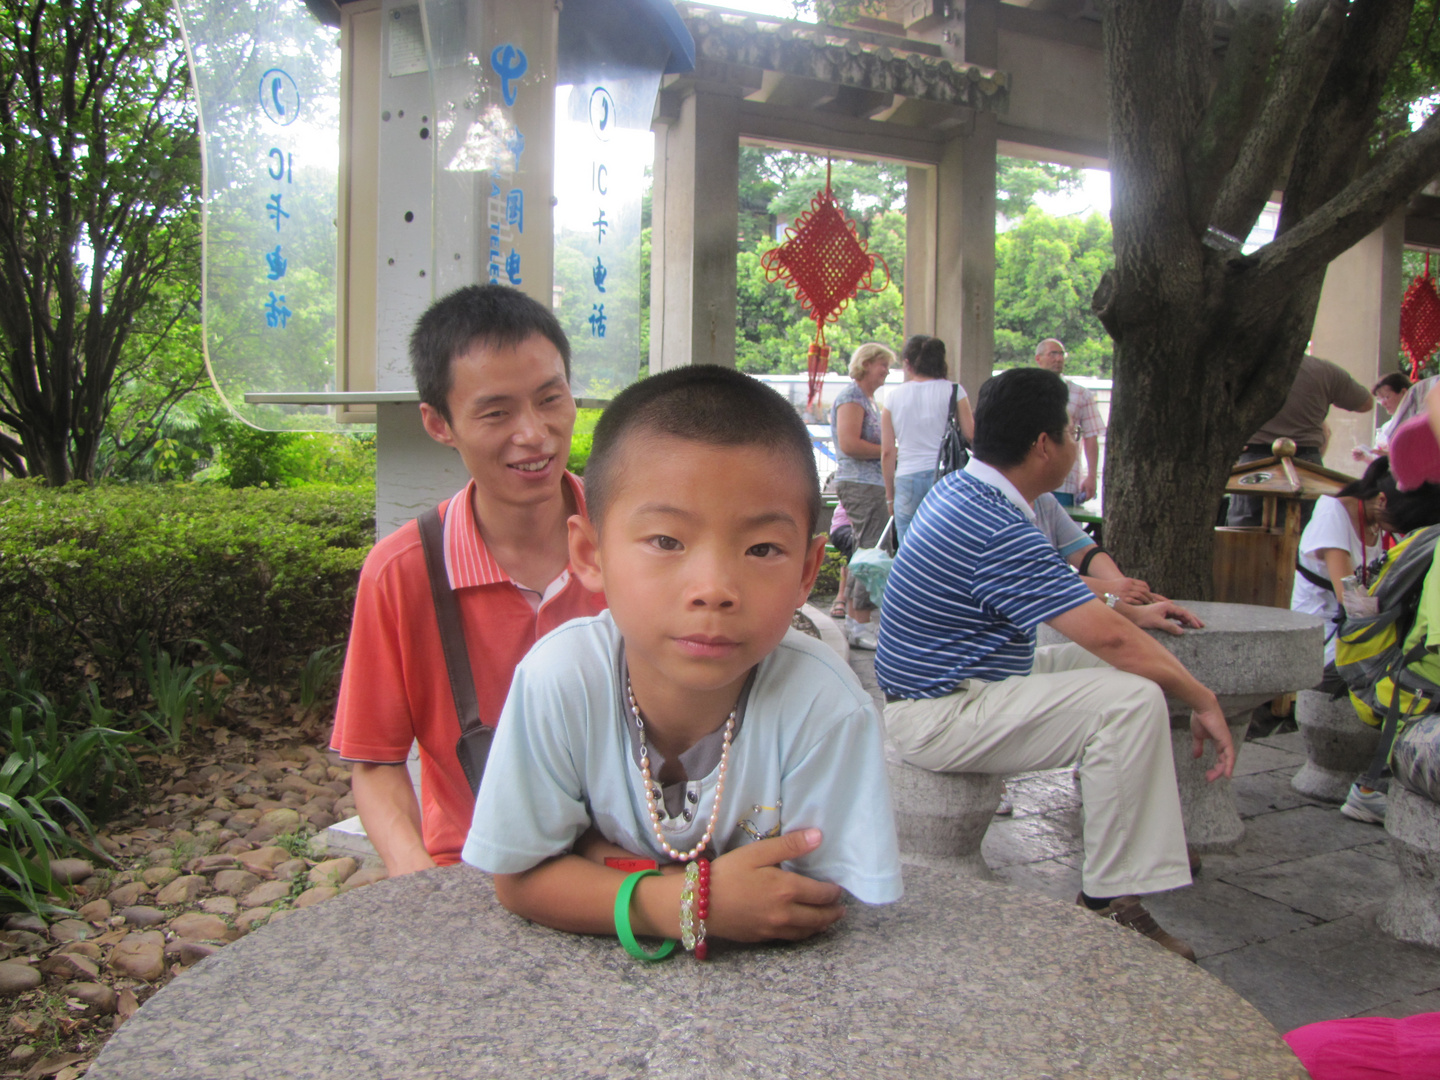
<point x="428" y="977"/>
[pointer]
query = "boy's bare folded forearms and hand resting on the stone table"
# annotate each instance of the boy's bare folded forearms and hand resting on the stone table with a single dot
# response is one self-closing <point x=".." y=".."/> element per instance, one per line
<point x="751" y="898"/>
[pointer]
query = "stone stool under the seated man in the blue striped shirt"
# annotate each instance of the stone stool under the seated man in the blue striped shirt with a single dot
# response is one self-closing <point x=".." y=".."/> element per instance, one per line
<point x="941" y="817"/>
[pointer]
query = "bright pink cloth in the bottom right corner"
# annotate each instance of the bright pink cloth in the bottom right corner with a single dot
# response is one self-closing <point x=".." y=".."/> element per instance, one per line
<point x="1370" y="1048"/>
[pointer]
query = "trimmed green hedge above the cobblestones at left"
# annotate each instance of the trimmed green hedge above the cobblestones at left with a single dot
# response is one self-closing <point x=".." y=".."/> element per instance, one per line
<point x="90" y="572"/>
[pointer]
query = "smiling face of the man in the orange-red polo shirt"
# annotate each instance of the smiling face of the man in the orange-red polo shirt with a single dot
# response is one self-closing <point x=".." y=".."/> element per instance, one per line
<point x="512" y="417"/>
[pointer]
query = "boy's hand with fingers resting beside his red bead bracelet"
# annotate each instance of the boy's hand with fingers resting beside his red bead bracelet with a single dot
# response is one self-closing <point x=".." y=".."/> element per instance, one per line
<point x="754" y="901"/>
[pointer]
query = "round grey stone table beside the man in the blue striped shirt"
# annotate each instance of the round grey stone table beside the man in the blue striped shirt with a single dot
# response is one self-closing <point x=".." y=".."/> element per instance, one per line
<point x="1248" y="656"/>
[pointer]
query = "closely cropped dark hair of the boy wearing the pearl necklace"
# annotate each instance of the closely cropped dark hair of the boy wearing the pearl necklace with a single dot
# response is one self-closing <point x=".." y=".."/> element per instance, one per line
<point x="716" y="407"/>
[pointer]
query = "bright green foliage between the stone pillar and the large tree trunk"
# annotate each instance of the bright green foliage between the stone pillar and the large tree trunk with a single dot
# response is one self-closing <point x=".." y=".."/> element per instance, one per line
<point x="1046" y="271"/>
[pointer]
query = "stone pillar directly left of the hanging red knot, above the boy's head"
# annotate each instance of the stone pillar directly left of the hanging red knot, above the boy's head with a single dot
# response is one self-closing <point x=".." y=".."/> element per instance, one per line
<point x="695" y="222"/>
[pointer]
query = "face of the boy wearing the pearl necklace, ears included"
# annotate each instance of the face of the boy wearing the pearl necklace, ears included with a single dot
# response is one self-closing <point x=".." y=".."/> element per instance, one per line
<point x="705" y="555"/>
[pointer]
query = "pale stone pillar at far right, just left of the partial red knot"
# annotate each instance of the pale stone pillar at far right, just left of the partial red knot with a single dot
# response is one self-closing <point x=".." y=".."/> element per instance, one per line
<point x="1357" y="328"/>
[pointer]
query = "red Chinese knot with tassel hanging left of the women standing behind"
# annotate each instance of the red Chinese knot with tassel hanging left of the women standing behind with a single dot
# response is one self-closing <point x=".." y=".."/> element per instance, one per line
<point x="827" y="264"/>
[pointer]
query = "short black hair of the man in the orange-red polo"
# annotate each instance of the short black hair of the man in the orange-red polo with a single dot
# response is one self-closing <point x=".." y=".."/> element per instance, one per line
<point x="496" y="316"/>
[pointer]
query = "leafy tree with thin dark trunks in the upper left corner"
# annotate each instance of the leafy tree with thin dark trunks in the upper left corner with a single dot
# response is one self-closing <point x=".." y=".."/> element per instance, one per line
<point x="99" y="233"/>
